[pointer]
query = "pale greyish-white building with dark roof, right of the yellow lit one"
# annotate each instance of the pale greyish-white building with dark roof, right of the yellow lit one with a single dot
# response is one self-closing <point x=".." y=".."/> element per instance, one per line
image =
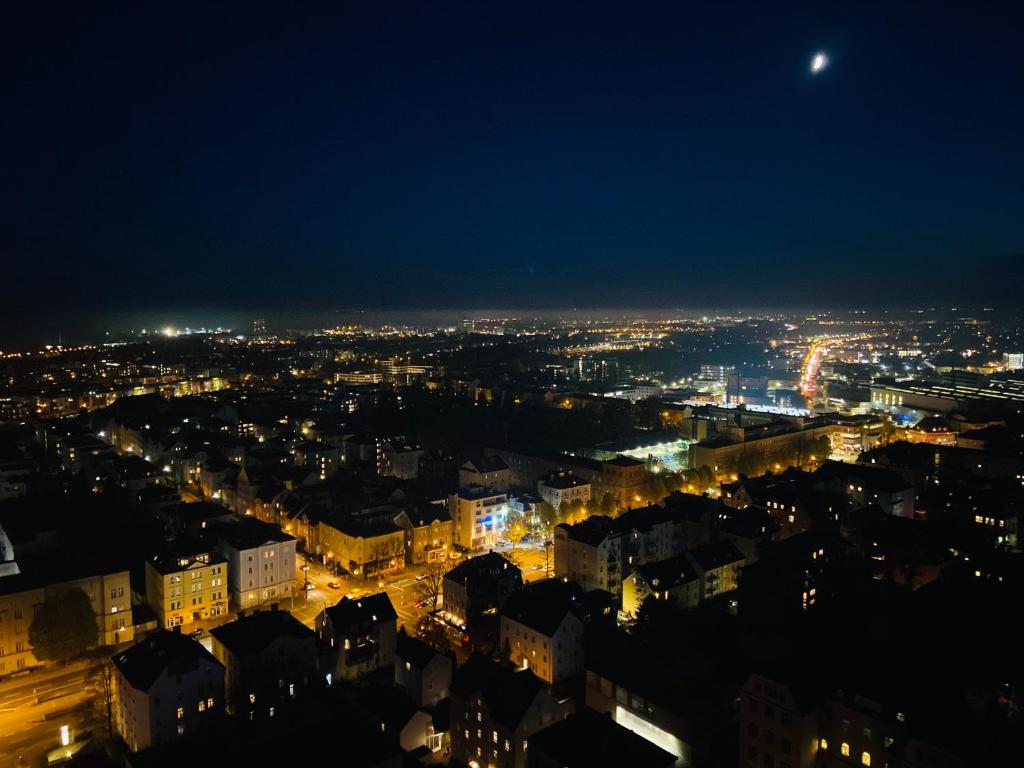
<point x="261" y="563"/>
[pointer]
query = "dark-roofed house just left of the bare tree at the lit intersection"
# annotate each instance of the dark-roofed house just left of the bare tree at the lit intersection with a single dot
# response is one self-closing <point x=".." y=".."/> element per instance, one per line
<point x="358" y="636"/>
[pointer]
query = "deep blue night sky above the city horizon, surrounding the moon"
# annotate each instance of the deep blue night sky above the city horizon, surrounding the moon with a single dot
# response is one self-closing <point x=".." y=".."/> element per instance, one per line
<point x="458" y="155"/>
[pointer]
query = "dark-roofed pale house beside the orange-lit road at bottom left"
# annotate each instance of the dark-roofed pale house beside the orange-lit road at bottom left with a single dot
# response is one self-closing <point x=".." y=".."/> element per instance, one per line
<point x="166" y="688"/>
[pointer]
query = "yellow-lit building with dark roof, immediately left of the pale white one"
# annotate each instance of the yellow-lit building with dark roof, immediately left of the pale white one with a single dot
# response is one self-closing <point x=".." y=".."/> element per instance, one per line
<point x="188" y="583"/>
